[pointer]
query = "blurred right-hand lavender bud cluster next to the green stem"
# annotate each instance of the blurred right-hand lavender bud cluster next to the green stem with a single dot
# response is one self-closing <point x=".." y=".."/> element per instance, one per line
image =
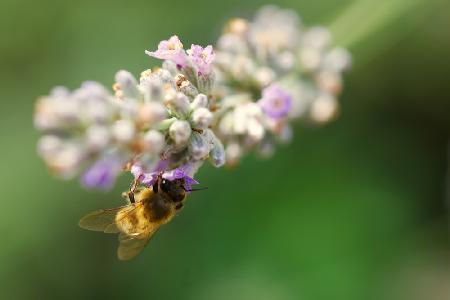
<point x="271" y="71"/>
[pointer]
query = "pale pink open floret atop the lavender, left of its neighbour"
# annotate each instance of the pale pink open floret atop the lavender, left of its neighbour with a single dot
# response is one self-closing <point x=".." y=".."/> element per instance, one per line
<point x="171" y="49"/>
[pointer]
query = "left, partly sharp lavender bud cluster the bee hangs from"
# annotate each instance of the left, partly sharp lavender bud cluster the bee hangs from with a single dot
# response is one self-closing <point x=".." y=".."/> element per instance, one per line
<point x="159" y="122"/>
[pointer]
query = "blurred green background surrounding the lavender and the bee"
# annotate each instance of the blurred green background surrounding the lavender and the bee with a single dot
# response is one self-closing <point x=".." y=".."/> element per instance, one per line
<point x="356" y="209"/>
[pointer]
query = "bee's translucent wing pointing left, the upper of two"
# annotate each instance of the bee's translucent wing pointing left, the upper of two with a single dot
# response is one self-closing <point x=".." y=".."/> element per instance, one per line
<point x="102" y="220"/>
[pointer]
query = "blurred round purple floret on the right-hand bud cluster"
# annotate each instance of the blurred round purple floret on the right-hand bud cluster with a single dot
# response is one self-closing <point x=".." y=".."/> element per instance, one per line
<point x="275" y="102"/>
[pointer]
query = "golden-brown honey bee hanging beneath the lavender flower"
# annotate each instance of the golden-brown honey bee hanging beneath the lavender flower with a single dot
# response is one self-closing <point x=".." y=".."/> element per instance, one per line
<point x="137" y="222"/>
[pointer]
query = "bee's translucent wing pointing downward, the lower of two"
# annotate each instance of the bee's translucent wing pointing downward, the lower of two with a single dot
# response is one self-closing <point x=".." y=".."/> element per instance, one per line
<point x="131" y="245"/>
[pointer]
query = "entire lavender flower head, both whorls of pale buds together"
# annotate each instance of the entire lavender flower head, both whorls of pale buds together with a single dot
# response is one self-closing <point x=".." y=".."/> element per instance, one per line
<point x="201" y="104"/>
